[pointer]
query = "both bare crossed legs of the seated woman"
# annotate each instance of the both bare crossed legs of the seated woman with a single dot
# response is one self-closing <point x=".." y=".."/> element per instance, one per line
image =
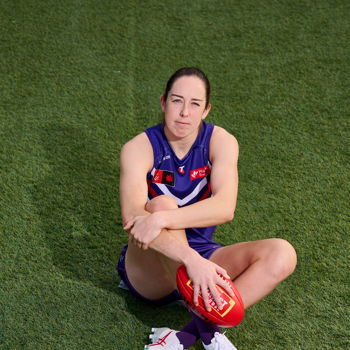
<point x="255" y="267"/>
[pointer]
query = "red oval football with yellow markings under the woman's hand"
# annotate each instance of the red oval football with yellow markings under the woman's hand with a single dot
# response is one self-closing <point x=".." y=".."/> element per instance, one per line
<point x="233" y="309"/>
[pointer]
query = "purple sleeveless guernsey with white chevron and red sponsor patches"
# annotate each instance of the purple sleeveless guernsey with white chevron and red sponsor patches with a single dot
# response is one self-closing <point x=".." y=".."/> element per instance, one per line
<point x="187" y="180"/>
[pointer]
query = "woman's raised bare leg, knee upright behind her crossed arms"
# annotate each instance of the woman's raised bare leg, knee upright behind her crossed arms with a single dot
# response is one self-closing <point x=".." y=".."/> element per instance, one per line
<point x="151" y="273"/>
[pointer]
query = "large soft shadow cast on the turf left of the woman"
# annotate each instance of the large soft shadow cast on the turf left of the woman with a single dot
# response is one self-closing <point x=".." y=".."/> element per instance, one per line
<point x="78" y="205"/>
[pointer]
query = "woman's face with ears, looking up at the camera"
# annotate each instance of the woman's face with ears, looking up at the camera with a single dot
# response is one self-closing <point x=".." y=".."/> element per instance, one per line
<point x="184" y="108"/>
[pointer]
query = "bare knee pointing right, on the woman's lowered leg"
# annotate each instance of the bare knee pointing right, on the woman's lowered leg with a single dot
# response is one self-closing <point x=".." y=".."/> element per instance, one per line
<point x="282" y="259"/>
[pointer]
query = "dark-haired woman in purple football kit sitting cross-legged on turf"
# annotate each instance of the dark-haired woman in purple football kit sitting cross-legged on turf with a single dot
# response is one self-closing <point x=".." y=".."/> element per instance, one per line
<point x="178" y="180"/>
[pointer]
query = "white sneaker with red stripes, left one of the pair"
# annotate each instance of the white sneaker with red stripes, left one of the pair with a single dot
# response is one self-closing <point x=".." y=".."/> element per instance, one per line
<point x="165" y="339"/>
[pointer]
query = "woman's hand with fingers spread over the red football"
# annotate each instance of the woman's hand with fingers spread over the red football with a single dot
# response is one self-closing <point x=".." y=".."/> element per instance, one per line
<point x="205" y="275"/>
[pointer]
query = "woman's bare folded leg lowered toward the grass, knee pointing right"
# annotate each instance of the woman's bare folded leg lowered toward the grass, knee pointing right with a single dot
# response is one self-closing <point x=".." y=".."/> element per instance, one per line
<point x="257" y="267"/>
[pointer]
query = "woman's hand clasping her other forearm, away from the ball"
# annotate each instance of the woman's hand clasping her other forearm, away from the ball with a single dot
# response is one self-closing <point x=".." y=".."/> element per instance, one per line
<point x="143" y="229"/>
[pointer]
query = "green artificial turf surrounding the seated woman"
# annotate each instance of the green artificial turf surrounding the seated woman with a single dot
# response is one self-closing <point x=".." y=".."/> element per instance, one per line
<point x="80" y="78"/>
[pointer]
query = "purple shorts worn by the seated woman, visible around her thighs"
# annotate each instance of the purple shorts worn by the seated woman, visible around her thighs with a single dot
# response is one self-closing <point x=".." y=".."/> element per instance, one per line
<point x="205" y="250"/>
